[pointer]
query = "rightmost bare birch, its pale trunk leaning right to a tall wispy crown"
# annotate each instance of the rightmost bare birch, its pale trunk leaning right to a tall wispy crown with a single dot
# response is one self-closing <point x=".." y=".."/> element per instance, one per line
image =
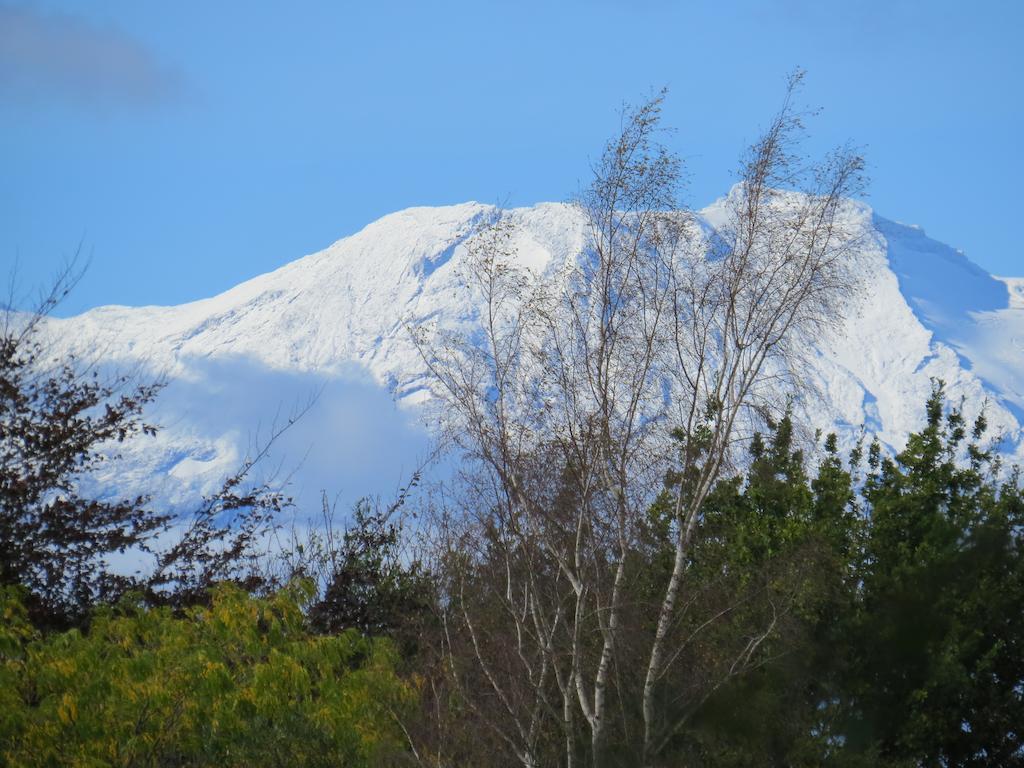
<point x="775" y="277"/>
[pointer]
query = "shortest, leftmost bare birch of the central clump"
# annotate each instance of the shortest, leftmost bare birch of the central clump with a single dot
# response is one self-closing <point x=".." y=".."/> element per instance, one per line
<point x="490" y="560"/>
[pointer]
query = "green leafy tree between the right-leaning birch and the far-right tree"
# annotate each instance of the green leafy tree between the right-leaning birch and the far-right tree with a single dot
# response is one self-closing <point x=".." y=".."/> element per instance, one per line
<point x="787" y="544"/>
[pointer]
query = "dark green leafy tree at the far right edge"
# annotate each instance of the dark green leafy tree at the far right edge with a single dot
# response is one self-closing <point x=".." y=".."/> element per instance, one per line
<point x="940" y="653"/>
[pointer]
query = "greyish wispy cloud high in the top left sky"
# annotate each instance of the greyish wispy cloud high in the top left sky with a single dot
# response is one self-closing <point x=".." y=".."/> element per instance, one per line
<point x="48" y="57"/>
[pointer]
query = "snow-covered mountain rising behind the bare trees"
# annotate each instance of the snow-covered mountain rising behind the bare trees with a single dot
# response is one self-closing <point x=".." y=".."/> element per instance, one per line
<point x="335" y="324"/>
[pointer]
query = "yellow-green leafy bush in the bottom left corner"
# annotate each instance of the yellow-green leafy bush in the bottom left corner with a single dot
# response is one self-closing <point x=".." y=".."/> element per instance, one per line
<point x="240" y="684"/>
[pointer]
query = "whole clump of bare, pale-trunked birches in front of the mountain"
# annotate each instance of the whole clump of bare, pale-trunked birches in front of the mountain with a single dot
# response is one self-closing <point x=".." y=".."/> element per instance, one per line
<point x="567" y="400"/>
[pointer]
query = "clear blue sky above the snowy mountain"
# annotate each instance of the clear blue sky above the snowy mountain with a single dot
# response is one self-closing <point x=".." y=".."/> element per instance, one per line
<point x="191" y="146"/>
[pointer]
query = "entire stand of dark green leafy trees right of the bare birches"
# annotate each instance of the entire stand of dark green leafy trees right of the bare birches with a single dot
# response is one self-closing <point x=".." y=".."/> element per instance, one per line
<point x="902" y="641"/>
